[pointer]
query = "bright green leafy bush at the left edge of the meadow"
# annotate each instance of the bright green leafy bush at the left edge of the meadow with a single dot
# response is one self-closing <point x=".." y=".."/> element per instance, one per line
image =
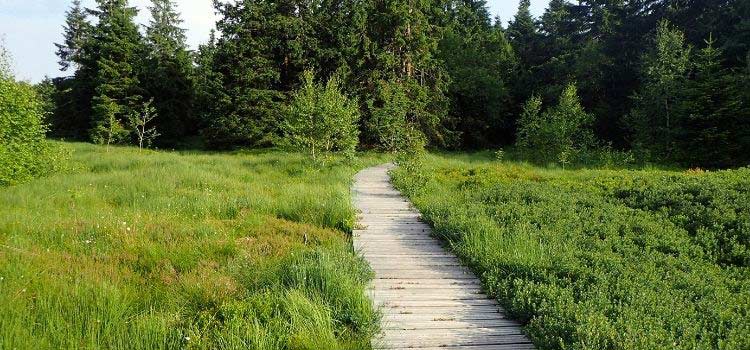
<point x="24" y="152"/>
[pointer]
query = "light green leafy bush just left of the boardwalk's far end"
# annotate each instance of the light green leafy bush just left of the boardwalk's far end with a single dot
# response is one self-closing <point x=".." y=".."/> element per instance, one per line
<point x="321" y="119"/>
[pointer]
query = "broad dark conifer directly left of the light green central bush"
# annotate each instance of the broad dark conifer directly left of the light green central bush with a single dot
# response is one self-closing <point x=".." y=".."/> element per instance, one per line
<point x="246" y="109"/>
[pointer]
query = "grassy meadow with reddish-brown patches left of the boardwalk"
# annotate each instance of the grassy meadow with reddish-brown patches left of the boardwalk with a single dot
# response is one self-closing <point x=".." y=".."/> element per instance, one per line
<point x="178" y="250"/>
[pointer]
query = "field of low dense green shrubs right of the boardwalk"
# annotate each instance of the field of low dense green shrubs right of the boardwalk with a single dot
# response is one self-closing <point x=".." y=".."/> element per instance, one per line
<point x="599" y="259"/>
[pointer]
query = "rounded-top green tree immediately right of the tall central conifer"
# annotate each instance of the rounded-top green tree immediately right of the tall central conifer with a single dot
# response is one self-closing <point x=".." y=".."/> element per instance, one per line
<point x="480" y="62"/>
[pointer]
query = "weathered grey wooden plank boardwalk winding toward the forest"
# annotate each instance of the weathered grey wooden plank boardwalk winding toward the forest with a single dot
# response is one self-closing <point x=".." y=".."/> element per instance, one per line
<point x="428" y="300"/>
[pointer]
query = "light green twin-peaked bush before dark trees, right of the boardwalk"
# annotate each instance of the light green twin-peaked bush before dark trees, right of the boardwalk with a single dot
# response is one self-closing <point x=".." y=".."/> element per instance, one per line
<point x="557" y="134"/>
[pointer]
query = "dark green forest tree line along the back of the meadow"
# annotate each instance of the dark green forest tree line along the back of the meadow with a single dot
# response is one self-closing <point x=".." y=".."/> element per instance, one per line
<point x="660" y="79"/>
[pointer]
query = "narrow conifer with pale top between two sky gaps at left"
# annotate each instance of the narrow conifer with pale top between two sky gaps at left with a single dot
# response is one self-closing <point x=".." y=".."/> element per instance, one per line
<point x="167" y="73"/>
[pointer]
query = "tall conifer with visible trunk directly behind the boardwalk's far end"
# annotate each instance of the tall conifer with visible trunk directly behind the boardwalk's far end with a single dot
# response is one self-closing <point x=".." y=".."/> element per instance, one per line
<point x="402" y="53"/>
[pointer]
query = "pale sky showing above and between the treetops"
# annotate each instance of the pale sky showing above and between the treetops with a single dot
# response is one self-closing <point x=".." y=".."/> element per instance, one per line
<point x="29" y="28"/>
